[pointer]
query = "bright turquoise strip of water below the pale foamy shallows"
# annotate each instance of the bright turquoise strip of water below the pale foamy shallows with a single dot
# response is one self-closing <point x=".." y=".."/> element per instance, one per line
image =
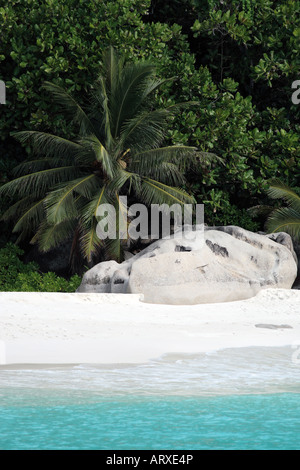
<point x="120" y="423"/>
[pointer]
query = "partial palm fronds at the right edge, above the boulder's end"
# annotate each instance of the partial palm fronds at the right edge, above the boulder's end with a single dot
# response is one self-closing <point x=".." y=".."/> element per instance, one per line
<point x="284" y="219"/>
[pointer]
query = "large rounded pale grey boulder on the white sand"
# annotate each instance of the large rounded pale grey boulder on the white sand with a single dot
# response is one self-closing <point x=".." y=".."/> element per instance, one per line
<point x="217" y="264"/>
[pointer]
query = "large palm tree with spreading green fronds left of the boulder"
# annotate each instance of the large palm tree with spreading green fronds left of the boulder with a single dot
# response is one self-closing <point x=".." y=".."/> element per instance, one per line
<point x="118" y="151"/>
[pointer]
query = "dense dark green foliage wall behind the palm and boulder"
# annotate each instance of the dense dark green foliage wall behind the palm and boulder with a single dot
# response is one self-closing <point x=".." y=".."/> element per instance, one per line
<point x="236" y="59"/>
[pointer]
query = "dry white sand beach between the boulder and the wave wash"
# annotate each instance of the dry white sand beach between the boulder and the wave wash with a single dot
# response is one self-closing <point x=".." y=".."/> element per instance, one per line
<point x="52" y="328"/>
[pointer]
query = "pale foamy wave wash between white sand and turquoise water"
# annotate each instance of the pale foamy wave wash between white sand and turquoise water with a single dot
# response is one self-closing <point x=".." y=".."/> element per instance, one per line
<point x="231" y="371"/>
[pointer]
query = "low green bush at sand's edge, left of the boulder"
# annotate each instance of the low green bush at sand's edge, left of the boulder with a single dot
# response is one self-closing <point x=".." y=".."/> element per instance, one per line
<point x="16" y="276"/>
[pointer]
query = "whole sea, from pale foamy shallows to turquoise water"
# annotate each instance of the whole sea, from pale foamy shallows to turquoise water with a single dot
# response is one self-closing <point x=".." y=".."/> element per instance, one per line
<point x="247" y="398"/>
